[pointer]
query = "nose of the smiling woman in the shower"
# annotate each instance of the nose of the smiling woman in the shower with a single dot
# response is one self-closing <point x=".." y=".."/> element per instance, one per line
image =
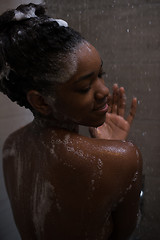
<point x="101" y="91"/>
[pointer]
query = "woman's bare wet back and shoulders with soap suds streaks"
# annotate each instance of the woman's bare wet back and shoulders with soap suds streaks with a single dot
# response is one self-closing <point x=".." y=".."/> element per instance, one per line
<point x="65" y="186"/>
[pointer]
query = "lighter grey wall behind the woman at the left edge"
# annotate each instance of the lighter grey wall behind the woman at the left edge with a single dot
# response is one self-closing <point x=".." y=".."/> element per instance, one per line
<point x="11" y="118"/>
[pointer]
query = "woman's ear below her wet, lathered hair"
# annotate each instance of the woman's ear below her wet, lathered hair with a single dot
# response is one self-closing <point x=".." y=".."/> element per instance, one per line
<point x="37" y="101"/>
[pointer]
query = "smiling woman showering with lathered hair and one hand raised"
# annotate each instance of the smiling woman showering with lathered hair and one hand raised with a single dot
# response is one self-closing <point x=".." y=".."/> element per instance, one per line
<point x="62" y="185"/>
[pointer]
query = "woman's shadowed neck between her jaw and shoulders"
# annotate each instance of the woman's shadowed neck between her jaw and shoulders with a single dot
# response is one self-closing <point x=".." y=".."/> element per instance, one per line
<point x="43" y="122"/>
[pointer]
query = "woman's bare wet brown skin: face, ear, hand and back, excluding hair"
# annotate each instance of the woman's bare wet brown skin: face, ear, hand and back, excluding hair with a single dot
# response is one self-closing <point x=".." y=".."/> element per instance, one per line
<point x="66" y="186"/>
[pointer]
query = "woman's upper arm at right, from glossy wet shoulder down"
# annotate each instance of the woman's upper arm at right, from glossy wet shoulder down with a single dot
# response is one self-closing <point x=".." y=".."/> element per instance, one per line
<point x="121" y="168"/>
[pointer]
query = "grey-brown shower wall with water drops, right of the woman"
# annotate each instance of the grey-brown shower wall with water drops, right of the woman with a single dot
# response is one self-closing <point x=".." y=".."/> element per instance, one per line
<point x="127" y="35"/>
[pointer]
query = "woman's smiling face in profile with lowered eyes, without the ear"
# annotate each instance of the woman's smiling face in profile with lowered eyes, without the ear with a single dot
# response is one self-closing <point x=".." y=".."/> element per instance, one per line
<point x="83" y="98"/>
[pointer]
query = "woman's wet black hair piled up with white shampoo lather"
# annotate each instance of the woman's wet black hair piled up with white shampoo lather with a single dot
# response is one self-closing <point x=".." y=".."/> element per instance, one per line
<point x="36" y="51"/>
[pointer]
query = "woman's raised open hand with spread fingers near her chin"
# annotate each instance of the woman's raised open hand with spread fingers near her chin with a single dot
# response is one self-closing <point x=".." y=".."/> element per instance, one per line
<point x="115" y="126"/>
